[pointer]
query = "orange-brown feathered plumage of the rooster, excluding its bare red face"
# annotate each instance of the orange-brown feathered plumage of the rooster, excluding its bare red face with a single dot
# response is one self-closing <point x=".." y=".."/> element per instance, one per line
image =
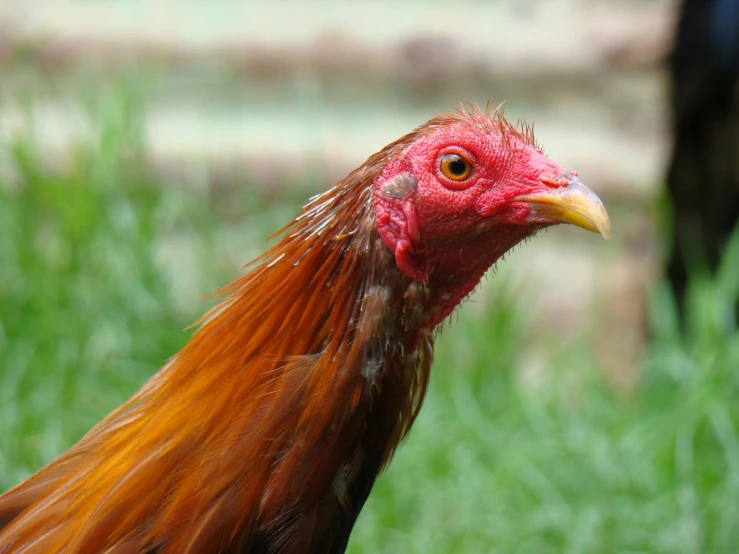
<point x="250" y="438"/>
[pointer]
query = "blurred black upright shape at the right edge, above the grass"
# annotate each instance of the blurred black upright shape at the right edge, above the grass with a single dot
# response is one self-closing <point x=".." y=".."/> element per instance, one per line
<point x="703" y="175"/>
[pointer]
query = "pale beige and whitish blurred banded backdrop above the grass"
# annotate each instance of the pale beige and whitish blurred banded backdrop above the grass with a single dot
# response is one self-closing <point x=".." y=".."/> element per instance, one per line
<point x="275" y="90"/>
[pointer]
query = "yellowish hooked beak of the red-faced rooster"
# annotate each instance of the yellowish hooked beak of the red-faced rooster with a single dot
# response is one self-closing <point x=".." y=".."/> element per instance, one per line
<point x="573" y="203"/>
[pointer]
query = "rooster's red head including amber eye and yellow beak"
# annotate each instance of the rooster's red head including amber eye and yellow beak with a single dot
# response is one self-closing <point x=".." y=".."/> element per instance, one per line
<point x="466" y="190"/>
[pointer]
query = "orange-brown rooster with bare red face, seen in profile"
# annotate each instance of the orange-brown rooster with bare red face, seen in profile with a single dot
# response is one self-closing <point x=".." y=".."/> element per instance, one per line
<point x="266" y="432"/>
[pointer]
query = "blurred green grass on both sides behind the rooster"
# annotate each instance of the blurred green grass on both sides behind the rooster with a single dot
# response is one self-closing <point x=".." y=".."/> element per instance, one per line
<point x="102" y="268"/>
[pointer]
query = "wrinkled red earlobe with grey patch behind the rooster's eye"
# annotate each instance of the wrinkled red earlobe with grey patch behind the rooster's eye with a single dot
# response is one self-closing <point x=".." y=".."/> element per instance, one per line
<point x="397" y="224"/>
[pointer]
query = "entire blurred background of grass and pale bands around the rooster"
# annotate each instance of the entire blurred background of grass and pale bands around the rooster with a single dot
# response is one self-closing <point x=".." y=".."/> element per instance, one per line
<point x="149" y="149"/>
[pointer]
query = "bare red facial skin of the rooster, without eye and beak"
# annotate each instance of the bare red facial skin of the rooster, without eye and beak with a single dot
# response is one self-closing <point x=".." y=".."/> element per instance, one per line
<point x="448" y="233"/>
